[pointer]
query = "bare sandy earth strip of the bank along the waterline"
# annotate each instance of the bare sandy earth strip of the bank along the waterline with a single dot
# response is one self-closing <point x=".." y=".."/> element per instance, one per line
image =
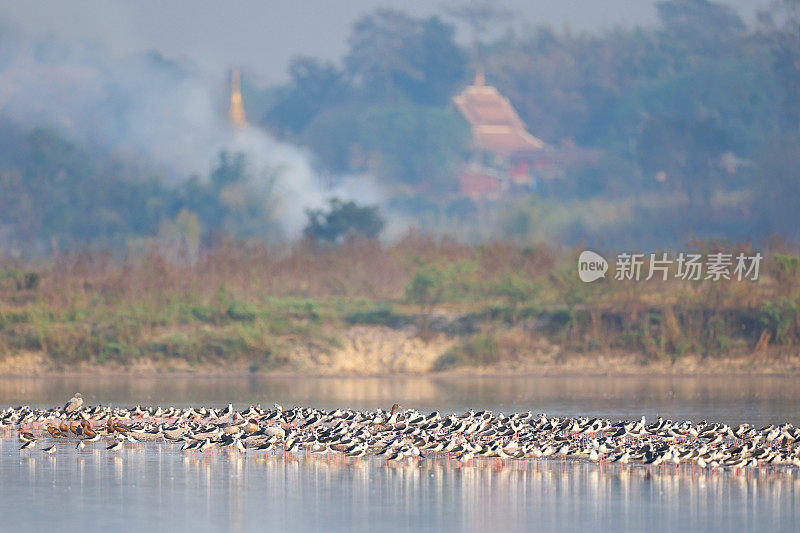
<point x="381" y="351"/>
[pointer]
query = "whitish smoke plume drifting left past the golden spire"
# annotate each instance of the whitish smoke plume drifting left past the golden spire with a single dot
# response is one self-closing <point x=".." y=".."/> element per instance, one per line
<point x="149" y="108"/>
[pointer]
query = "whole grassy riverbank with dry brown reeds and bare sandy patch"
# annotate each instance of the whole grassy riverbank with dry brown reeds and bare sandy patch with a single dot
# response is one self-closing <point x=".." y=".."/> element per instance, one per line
<point x="416" y="307"/>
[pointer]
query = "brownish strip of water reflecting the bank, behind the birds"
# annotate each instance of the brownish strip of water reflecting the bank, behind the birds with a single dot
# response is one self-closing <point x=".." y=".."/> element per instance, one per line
<point x="758" y="400"/>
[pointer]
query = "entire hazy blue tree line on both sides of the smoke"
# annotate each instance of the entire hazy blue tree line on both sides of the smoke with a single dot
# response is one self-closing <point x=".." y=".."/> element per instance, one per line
<point x="701" y="107"/>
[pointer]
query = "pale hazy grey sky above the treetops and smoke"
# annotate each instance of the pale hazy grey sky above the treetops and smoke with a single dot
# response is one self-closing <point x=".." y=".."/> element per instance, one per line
<point x="264" y="35"/>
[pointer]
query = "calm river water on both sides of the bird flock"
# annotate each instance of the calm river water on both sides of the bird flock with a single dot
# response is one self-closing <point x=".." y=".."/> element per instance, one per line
<point x="155" y="486"/>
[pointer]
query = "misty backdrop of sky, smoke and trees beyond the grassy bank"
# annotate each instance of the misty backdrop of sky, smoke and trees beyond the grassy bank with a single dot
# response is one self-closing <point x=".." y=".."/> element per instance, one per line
<point x="114" y="128"/>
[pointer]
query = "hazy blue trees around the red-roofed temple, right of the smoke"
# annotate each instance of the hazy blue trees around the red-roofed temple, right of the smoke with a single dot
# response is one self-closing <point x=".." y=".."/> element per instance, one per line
<point x="701" y="108"/>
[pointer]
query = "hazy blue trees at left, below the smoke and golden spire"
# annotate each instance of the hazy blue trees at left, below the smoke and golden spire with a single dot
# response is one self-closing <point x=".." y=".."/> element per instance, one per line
<point x="54" y="193"/>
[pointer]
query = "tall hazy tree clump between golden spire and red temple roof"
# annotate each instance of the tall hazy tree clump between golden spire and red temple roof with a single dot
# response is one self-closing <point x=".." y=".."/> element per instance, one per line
<point x="386" y="111"/>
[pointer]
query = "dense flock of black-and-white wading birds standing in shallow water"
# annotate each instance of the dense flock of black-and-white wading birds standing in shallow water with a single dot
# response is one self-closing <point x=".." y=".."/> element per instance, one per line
<point x="401" y="435"/>
